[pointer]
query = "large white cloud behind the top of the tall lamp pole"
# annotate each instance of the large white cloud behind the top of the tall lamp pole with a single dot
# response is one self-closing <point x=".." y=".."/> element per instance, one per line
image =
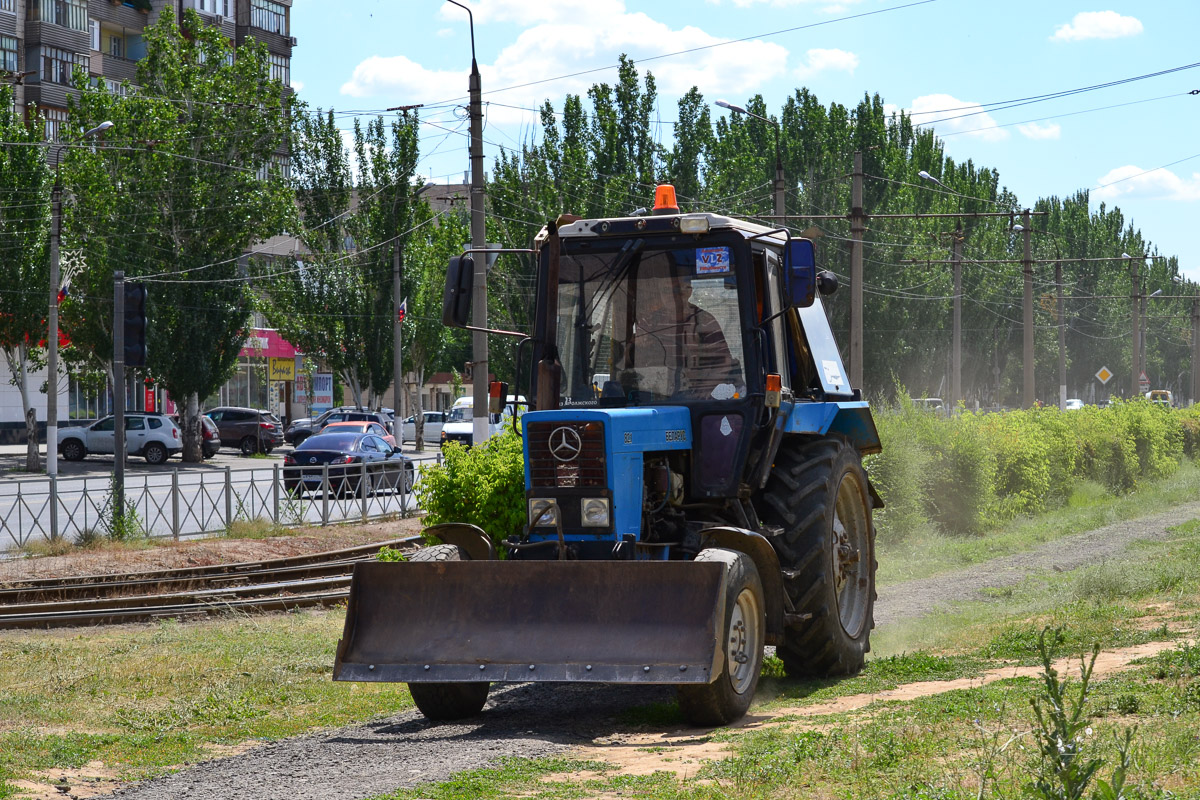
<point x="574" y="37"/>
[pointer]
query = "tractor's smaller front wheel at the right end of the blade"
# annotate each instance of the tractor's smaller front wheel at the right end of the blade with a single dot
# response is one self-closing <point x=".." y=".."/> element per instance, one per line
<point x="742" y="637"/>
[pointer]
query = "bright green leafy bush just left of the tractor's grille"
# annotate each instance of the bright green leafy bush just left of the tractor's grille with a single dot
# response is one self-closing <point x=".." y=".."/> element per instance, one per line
<point x="483" y="486"/>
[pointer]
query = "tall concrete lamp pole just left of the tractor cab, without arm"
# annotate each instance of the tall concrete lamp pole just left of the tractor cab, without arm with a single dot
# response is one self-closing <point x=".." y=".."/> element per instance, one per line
<point x="478" y="240"/>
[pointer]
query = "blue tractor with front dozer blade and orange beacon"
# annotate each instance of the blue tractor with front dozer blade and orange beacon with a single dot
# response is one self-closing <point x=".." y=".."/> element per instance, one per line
<point x="694" y="484"/>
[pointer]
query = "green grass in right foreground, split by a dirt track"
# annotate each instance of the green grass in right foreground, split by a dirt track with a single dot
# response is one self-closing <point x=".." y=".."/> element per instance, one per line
<point x="943" y="745"/>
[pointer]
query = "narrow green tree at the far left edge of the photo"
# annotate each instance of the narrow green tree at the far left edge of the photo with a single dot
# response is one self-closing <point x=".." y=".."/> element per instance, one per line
<point x="25" y="256"/>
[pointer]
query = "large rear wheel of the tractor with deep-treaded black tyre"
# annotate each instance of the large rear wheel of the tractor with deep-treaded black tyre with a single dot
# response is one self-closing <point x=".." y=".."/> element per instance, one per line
<point x="819" y="495"/>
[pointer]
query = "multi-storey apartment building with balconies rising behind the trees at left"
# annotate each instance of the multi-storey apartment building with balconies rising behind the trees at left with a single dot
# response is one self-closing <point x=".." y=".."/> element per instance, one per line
<point x="41" y="43"/>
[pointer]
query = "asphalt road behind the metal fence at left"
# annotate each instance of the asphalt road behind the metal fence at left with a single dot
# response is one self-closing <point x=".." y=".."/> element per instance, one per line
<point x="175" y="498"/>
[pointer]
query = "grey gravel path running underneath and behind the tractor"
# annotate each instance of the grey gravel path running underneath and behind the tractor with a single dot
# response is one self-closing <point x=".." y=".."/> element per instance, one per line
<point x="533" y="720"/>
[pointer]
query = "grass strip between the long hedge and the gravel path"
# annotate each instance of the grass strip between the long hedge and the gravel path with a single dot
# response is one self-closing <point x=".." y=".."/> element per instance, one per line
<point x="927" y="554"/>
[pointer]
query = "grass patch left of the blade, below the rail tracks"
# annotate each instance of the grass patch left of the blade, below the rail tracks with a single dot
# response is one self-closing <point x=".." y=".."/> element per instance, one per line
<point x="145" y="699"/>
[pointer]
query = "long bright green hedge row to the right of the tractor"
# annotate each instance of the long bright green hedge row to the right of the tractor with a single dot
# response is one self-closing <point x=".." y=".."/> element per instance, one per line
<point x="971" y="472"/>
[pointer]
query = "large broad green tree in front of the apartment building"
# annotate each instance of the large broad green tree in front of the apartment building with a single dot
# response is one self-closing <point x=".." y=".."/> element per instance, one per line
<point x="190" y="181"/>
